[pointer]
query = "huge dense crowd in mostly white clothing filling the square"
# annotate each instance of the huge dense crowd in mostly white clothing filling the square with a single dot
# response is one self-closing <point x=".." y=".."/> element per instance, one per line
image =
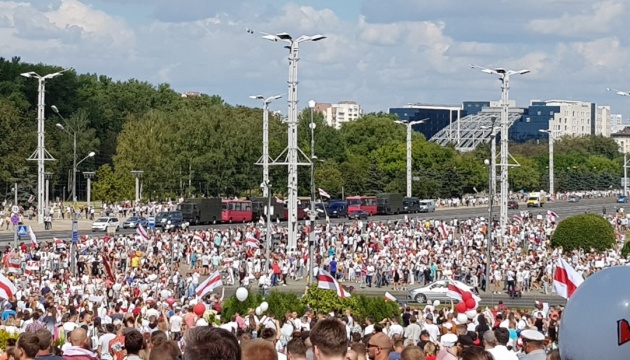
<point x="128" y="295"/>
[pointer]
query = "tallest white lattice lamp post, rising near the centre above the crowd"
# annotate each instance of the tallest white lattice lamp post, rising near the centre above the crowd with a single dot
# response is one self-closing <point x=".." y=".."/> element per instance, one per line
<point x="292" y="151"/>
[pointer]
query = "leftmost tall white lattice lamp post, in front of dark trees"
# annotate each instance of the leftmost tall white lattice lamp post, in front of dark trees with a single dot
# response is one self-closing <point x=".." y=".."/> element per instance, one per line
<point x="41" y="154"/>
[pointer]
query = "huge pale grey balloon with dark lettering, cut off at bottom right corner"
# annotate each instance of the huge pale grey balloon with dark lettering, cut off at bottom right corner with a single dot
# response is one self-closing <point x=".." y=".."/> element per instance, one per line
<point x="595" y="322"/>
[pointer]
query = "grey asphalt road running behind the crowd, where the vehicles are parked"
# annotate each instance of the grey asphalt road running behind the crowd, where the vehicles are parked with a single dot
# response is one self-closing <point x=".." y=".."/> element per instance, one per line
<point x="63" y="228"/>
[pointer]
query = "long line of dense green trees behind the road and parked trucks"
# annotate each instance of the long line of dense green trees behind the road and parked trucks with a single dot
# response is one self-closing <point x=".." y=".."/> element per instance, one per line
<point x="200" y="145"/>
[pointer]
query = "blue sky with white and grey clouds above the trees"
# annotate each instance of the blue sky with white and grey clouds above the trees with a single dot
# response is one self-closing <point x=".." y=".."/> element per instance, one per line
<point x="380" y="53"/>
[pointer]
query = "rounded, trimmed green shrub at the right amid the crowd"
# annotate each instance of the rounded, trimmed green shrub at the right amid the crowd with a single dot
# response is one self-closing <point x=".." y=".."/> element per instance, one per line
<point x="586" y="231"/>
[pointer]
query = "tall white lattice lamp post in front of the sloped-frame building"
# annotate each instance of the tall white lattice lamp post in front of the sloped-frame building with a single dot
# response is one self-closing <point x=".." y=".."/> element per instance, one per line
<point x="504" y="77"/>
